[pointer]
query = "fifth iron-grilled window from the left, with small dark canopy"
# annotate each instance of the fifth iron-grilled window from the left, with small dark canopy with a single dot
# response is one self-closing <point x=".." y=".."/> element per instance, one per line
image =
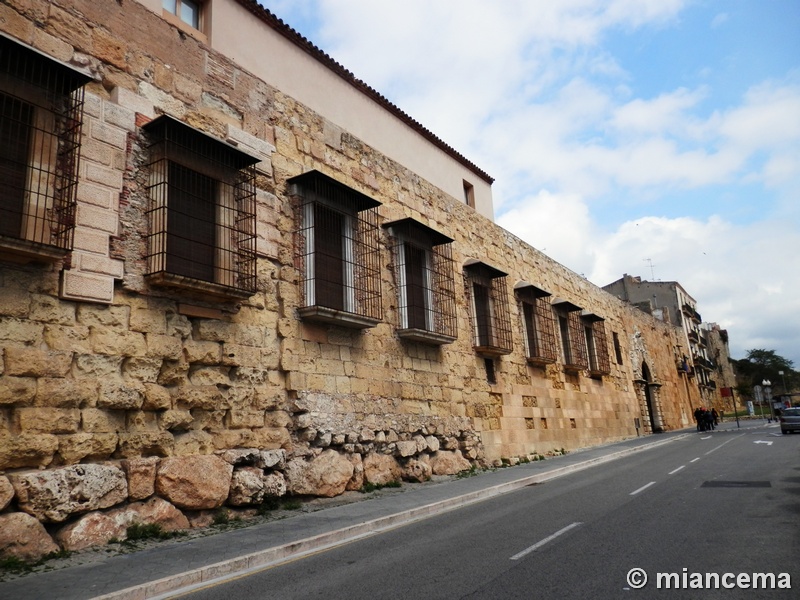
<point x="486" y="287"/>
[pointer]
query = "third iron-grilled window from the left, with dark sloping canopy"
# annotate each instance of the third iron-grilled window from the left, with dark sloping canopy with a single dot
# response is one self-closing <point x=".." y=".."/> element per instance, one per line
<point x="337" y="252"/>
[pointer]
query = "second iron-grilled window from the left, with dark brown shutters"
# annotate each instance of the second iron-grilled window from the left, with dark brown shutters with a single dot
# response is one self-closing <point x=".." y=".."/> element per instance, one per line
<point x="202" y="212"/>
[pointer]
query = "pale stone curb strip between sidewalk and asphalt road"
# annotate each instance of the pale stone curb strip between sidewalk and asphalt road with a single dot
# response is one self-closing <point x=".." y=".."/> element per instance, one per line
<point x="228" y="569"/>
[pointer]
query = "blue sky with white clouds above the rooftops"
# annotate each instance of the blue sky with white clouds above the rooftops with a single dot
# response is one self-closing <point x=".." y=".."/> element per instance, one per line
<point x="658" y="138"/>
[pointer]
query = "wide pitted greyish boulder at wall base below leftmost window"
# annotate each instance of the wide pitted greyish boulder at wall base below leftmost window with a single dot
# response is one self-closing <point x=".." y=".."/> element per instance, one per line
<point x="57" y="494"/>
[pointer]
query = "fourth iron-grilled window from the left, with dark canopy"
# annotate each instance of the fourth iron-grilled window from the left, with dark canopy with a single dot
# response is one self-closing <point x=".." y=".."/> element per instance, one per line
<point x="425" y="283"/>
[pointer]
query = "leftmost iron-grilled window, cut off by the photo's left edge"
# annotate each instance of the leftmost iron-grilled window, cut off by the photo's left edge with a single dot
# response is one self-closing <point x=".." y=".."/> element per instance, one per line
<point x="41" y="115"/>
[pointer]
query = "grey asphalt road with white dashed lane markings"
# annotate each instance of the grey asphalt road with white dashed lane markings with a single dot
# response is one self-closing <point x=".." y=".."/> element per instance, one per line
<point x="722" y="503"/>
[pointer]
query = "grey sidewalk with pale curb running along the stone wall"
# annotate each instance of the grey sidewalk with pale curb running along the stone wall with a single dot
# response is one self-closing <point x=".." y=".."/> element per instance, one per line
<point x="174" y="565"/>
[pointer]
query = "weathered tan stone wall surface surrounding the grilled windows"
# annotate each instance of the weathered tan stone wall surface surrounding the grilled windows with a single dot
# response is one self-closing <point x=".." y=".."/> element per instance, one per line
<point x="122" y="401"/>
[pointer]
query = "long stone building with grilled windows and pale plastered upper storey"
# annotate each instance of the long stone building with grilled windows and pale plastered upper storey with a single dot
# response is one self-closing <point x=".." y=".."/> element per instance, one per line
<point x="229" y="270"/>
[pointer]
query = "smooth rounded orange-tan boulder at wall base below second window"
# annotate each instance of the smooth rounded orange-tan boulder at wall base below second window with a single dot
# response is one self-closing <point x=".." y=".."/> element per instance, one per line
<point x="194" y="482"/>
